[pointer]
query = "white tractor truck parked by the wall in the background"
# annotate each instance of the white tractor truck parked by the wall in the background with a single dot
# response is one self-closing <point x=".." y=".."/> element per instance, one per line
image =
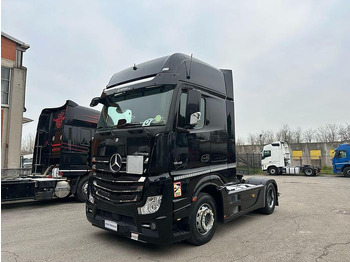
<point x="276" y="160"/>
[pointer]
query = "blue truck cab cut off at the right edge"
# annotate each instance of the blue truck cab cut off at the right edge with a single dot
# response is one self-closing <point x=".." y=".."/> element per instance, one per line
<point x="341" y="160"/>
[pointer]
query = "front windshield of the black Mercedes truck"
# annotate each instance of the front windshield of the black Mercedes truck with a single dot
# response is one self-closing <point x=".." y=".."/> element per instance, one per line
<point x="146" y="107"/>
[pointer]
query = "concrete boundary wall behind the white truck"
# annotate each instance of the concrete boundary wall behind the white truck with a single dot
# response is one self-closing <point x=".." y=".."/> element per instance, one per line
<point x="324" y="160"/>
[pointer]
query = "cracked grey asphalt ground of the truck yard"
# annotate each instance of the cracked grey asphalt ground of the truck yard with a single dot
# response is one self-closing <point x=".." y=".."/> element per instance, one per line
<point x="312" y="223"/>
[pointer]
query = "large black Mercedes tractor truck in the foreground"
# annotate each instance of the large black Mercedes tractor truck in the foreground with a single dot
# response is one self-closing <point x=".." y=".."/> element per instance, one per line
<point x="163" y="155"/>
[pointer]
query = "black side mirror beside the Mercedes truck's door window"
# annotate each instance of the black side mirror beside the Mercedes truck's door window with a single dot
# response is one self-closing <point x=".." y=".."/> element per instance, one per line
<point x="192" y="108"/>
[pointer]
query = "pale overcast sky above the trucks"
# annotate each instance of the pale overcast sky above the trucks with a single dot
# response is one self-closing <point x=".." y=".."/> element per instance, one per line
<point x="291" y="59"/>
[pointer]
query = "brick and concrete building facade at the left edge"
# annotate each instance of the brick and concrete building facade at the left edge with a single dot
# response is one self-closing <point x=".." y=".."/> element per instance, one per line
<point x="13" y="87"/>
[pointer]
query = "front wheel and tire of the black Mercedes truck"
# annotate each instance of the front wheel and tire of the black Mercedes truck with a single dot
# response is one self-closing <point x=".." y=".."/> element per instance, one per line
<point x="203" y="220"/>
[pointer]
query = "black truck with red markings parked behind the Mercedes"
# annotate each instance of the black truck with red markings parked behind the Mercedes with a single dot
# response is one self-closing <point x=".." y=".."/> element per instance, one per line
<point x="60" y="167"/>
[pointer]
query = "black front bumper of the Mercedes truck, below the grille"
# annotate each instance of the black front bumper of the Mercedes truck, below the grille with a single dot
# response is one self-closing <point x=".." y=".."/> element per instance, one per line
<point x="132" y="225"/>
